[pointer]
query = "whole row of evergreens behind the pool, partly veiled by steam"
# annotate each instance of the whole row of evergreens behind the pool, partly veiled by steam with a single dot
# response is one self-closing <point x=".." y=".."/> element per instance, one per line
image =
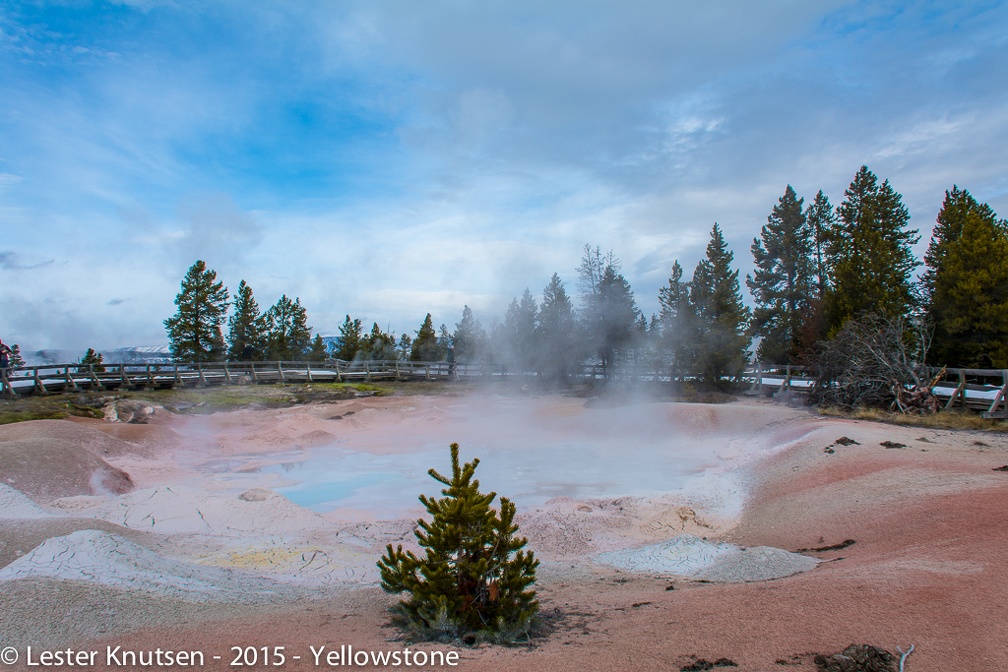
<point x="819" y="270"/>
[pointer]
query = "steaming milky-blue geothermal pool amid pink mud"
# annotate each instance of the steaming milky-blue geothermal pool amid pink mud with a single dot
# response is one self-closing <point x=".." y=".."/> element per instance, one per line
<point x="531" y="450"/>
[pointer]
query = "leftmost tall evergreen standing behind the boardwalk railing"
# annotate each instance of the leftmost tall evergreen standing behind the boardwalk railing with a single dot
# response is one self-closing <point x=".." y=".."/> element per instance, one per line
<point x="195" y="331"/>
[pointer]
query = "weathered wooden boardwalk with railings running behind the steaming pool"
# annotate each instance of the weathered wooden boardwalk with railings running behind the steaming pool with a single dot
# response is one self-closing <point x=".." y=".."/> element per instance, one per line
<point x="984" y="390"/>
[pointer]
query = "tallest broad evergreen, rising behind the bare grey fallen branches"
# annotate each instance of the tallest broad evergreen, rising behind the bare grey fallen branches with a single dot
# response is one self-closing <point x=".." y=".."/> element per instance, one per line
<point x="870" y="253"/>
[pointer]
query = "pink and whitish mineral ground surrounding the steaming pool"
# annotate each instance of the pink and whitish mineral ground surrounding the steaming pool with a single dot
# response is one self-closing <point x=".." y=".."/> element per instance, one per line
<point x="927" y="567"/>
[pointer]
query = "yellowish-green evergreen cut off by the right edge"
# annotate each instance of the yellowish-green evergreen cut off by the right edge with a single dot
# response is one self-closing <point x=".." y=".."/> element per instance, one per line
<point x="966" y="285"/>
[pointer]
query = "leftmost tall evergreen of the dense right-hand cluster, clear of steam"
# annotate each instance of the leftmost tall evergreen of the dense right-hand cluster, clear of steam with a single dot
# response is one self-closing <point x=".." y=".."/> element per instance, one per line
<point x="785" y="280"/>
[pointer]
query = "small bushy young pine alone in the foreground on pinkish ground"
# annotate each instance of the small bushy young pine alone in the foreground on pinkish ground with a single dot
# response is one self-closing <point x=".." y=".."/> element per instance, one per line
<point x="474" y="582"/>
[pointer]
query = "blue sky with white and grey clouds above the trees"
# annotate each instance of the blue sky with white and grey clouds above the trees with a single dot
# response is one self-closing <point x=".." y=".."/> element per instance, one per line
<point x="387" y="160"/>
